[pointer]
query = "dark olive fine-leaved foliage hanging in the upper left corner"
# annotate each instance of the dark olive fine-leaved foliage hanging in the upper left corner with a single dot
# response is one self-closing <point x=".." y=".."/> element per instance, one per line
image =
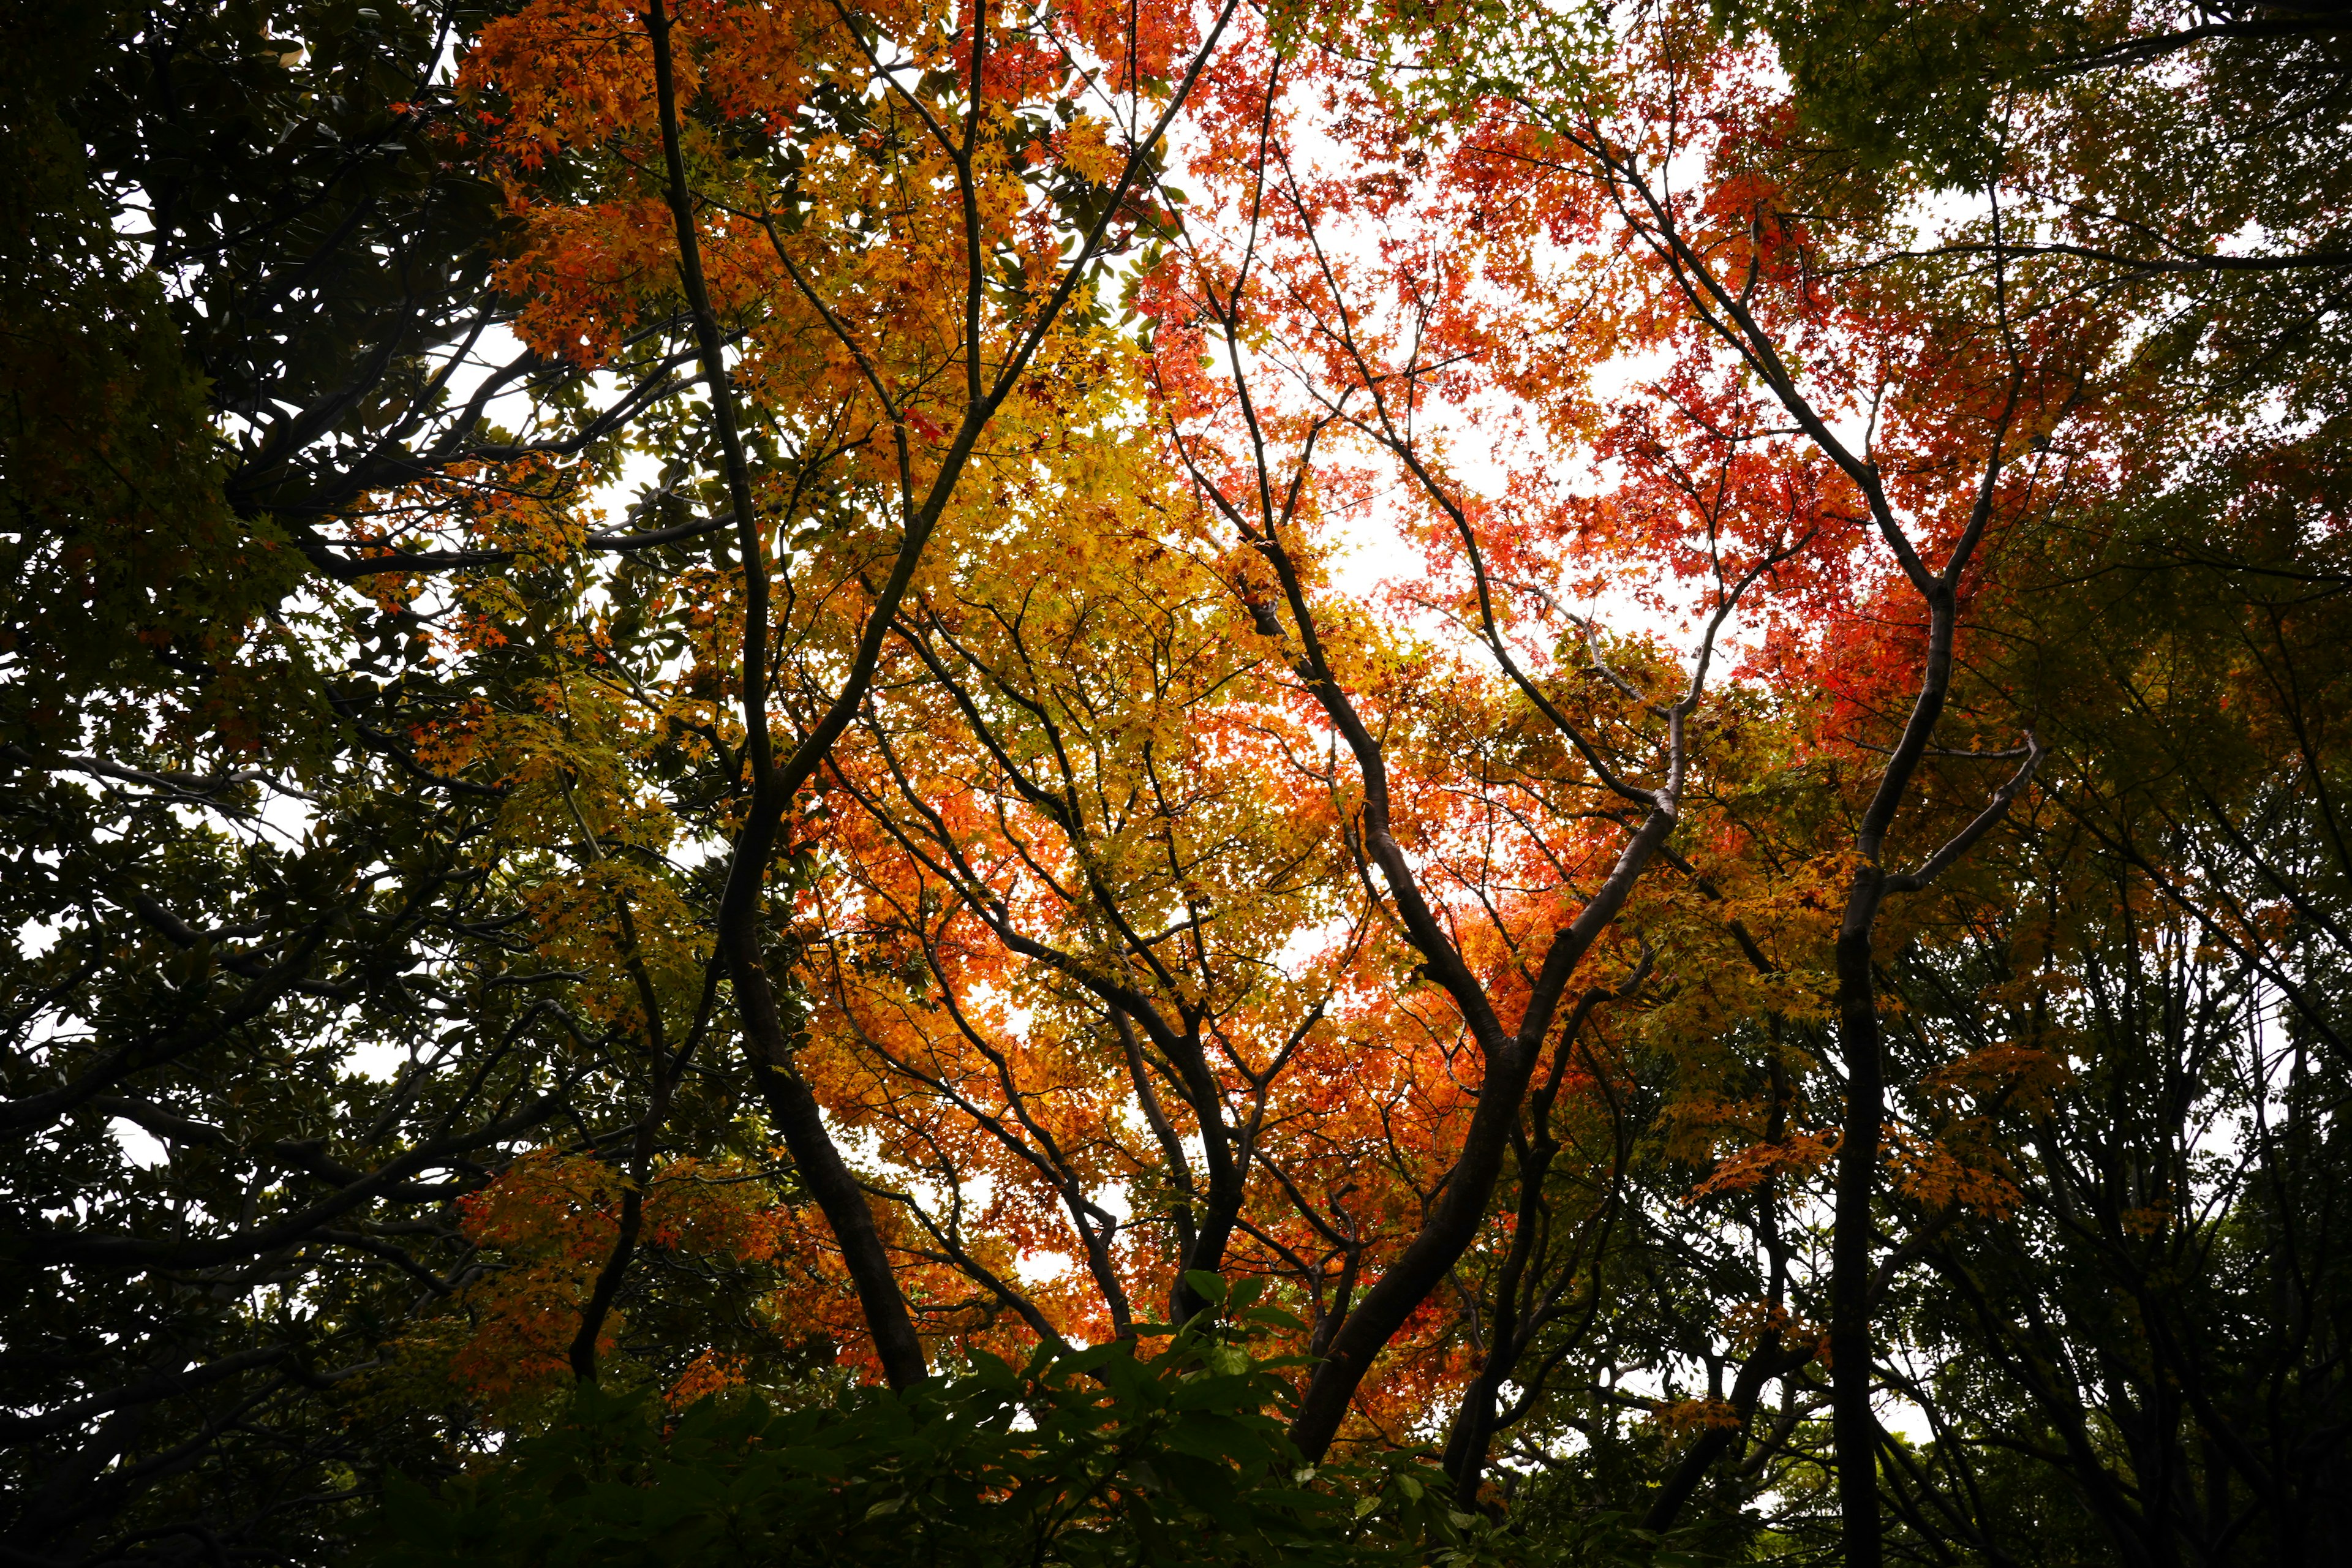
<point x="123" y="549"/>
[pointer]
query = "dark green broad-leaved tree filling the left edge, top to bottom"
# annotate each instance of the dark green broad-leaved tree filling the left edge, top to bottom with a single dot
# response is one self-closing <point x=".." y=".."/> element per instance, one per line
<point x="236" y="257"/>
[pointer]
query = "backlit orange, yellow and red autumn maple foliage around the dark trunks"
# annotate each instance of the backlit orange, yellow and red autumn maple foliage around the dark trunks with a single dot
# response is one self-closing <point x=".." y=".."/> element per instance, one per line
<point x="1088" y="885"/>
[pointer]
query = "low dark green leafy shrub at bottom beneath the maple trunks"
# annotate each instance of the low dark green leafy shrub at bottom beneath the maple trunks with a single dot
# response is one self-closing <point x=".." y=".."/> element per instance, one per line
<point x="1118" y="1454"/>
